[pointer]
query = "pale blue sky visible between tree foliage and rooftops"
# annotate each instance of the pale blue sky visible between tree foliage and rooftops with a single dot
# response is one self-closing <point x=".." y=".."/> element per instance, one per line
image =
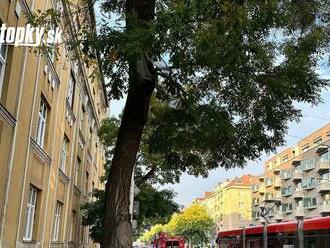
<point x="314" y="117"/>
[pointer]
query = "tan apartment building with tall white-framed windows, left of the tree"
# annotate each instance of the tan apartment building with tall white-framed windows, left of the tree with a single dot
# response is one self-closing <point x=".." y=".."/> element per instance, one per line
<point x="50" y="155"/>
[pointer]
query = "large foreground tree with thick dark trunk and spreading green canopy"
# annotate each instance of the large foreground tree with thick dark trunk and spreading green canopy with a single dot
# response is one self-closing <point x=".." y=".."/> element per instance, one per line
<point x="227" y="75"/>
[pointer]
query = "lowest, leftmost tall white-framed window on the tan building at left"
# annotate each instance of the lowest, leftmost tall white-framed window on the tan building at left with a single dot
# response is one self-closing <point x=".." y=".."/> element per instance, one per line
<point x="30" y="214"/>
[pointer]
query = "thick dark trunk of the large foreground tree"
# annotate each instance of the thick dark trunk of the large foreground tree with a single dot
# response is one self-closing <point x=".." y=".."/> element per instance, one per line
<point x="117" y="222"/>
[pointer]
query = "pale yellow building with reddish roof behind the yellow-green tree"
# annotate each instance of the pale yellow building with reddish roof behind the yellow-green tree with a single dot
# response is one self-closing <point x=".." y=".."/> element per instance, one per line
<point x="229" y="203"/>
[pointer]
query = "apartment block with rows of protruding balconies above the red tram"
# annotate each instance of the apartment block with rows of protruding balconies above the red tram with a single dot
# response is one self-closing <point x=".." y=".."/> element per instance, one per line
<point x="298" y="178"/>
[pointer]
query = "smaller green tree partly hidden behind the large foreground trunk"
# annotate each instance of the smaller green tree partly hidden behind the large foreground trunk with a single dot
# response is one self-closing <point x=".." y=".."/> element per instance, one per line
<point x="156" y="206"/>
